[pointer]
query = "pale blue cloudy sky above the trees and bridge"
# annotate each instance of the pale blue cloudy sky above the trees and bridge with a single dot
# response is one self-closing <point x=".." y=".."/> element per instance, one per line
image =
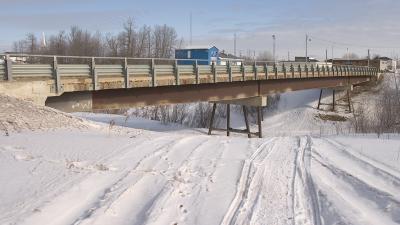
<point x="354" y="24"/>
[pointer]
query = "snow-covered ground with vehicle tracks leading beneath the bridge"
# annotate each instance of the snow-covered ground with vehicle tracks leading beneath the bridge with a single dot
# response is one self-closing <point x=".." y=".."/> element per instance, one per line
<point x="156" y="174"/>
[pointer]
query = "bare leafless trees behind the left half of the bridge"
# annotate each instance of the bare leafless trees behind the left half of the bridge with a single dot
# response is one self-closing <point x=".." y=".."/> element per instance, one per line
<point x="158" y="41"/>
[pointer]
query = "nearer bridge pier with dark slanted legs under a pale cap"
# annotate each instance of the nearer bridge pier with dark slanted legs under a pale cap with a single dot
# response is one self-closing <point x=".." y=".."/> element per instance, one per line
<point x="258" y="102"/>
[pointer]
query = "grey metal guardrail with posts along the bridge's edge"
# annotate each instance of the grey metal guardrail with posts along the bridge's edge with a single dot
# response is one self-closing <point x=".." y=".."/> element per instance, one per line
<point x="58" y="67"/>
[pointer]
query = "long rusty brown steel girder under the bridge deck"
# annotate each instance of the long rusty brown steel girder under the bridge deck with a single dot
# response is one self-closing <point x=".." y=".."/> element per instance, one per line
<point x="163" y="95"/>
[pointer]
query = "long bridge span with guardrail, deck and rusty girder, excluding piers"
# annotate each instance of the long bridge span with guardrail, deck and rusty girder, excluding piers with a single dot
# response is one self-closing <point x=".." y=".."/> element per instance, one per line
<point x="76" y="83"/>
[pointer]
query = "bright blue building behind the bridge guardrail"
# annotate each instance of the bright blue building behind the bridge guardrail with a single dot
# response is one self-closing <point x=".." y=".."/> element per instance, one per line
<point x="204" y="55"/>
